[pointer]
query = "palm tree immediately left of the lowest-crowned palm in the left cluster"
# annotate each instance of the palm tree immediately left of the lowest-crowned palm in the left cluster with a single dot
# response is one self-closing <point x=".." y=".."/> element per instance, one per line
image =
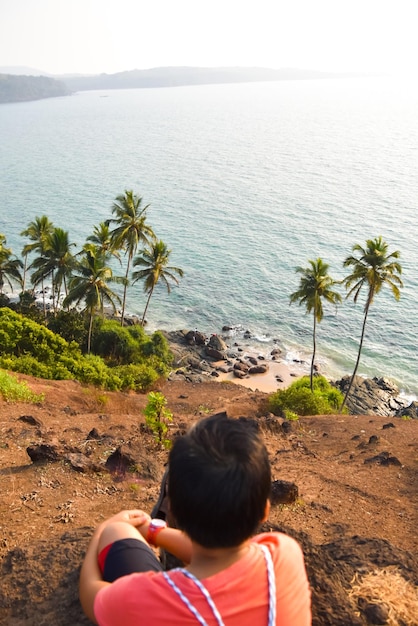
<point x="56" y="261"/>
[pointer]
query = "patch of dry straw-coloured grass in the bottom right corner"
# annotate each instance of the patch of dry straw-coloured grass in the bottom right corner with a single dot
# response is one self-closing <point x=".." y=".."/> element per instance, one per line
<point x="388" y="587"/>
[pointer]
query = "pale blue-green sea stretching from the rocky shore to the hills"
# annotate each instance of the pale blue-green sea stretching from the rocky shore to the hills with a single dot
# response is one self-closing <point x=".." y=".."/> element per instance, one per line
<point x="243" y="182"/>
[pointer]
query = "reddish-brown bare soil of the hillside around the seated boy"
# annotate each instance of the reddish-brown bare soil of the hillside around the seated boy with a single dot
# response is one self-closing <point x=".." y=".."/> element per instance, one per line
<point x="352" y="514"/>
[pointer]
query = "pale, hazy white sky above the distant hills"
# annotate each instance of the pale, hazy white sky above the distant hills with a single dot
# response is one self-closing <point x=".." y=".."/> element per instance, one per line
<point x="94" y="36"/>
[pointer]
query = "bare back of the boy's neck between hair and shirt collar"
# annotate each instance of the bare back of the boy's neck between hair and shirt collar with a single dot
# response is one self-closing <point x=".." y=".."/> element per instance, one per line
<point x="207" y="562"/>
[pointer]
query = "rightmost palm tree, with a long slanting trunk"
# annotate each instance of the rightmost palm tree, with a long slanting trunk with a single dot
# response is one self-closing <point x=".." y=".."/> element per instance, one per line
<point x="373" y="268"/>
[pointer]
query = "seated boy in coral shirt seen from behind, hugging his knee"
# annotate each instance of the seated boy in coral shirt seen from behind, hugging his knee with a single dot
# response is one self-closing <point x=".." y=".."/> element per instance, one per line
<point x="218" y="487"/>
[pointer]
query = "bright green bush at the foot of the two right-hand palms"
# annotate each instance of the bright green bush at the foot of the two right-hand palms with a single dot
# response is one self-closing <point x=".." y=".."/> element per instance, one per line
<point x="298" y="398"/>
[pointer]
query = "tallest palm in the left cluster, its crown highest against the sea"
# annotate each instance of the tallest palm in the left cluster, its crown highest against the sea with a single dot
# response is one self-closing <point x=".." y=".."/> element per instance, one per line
<point x="131" y="229"/>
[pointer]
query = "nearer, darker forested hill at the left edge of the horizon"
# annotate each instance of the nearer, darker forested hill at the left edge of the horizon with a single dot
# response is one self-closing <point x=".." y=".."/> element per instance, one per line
<point x="22" y="88"/>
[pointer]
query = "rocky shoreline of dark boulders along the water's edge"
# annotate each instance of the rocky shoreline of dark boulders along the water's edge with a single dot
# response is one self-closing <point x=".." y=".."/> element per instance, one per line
<point x="198" y="358"/>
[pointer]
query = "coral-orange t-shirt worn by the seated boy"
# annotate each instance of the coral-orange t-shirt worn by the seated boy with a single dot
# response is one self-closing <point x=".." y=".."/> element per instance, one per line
<point x="240" y="592"/>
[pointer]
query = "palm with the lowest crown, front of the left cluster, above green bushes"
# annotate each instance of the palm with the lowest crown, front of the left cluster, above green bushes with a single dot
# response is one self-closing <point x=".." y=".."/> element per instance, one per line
<point x="91" y="286"/>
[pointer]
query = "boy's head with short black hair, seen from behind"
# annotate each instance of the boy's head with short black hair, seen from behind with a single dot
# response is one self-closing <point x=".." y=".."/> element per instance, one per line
<point x="219" y="481"/>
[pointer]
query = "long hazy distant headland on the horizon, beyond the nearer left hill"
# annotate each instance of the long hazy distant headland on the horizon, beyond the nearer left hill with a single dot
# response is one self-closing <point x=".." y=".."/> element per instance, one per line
<point x="180" y="76"/>
